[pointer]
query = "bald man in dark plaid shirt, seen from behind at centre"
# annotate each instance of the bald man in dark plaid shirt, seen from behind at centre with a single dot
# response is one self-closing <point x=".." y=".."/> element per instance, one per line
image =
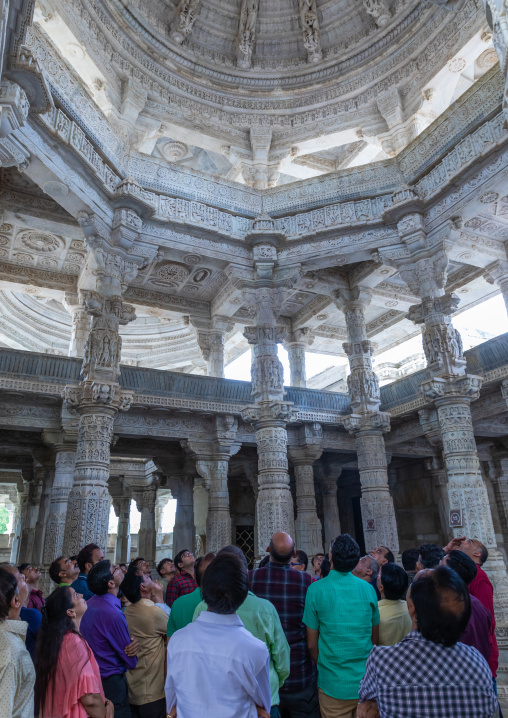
<point x="286" y="589"/>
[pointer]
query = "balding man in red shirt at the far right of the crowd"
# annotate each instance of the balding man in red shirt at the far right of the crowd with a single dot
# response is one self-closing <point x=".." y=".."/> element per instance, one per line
<point x="481" y="588"/>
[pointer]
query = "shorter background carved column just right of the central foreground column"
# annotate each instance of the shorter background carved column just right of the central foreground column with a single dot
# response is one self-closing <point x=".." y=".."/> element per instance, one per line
<point x="308" y="529"/>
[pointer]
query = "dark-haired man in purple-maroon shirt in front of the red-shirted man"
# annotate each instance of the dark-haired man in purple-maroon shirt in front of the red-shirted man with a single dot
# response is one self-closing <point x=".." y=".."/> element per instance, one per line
<point x="477" y="632"/>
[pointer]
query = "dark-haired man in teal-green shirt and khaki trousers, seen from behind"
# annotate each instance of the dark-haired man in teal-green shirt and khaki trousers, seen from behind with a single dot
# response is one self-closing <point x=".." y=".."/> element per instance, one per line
<point x="342" y="619"/>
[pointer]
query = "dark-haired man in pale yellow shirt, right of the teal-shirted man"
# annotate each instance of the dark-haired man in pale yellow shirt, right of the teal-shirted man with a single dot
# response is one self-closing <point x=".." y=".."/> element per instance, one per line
<point x="395" y="622"/>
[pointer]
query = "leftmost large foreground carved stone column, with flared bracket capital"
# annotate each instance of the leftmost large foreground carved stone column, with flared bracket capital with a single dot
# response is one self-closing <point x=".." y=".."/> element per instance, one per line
<point x="109" y="269"/>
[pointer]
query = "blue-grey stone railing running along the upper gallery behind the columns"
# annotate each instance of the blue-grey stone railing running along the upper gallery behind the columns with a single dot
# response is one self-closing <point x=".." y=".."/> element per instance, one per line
<point x="46" y="373"/>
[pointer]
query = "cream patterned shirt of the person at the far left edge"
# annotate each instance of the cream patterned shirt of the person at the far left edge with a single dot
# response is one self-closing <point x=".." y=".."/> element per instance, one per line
<point x="17" y="674"/>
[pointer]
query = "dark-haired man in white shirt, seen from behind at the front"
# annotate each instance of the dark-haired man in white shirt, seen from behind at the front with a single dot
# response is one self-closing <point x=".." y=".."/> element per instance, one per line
<point x="216" y="668"/>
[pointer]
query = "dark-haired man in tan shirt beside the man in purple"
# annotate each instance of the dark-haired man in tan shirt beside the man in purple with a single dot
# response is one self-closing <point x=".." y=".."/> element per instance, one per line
<point x="147" y="625"/>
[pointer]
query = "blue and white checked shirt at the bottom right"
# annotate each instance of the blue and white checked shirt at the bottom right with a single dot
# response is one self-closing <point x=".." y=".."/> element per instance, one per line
<point x="417" y="677"/>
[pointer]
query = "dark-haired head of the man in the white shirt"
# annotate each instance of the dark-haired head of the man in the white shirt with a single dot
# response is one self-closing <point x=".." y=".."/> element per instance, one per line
<point x="225" y="584"/>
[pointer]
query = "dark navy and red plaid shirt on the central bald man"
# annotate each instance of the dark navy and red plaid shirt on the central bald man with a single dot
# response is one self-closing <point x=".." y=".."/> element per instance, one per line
<point x="286" y="589"/>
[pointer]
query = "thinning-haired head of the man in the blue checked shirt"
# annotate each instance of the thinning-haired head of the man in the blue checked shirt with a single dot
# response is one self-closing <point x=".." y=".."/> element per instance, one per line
<point x="438" y="600"/>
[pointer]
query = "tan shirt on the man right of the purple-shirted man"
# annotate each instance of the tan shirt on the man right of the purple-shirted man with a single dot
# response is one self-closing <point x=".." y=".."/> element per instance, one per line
<point x="148" y="624"/>
